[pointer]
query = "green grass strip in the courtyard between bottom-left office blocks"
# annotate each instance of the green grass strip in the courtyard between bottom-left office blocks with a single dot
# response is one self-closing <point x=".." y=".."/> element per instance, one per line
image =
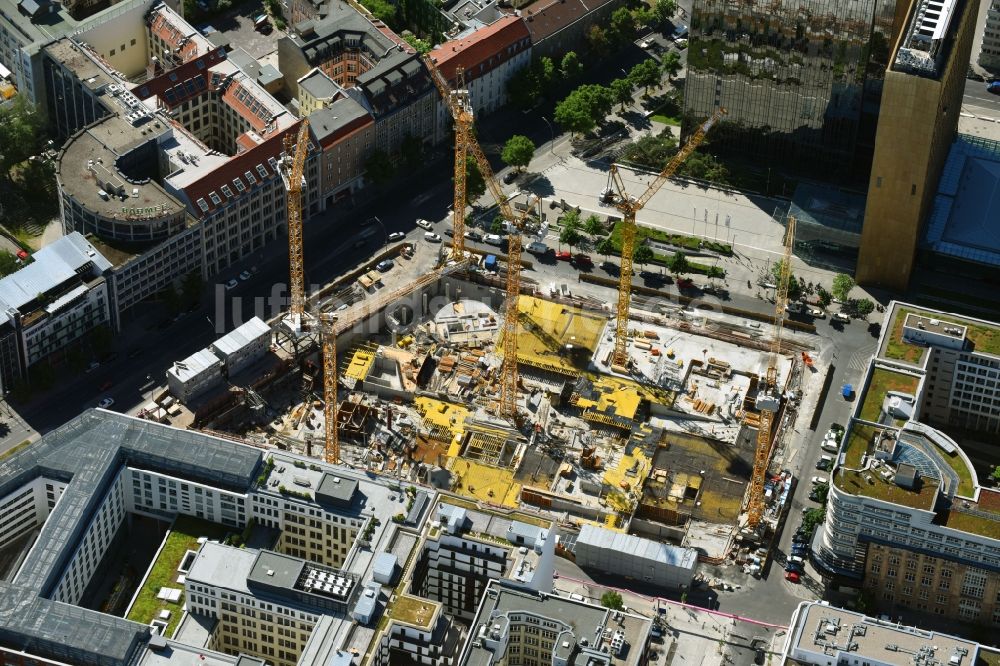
<point x="183" y="537"/>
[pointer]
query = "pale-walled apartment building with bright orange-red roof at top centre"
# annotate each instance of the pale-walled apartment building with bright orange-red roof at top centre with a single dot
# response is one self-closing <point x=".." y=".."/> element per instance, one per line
<point x="488" y="57"/>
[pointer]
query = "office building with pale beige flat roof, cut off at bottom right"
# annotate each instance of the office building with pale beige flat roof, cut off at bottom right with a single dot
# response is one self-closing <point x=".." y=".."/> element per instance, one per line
<point x="822" y="635"/>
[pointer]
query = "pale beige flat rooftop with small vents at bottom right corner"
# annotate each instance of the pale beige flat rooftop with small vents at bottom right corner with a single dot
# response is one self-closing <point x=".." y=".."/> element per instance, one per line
<point x="838" y="633"/>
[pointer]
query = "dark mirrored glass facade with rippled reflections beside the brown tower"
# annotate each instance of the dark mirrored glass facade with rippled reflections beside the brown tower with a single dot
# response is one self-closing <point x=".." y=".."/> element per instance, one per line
<point x="801" y="81"/>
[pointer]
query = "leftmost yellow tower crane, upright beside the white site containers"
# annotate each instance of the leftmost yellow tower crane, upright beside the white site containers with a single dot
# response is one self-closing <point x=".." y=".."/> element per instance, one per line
<point x="292" y="174"/>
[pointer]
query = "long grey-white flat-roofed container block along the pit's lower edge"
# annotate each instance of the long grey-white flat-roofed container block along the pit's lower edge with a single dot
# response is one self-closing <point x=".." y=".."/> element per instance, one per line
<point x="659" y="564"/>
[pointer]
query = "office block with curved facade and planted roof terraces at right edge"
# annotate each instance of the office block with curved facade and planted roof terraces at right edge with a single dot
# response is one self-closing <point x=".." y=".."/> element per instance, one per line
<point x="908" y="520"/>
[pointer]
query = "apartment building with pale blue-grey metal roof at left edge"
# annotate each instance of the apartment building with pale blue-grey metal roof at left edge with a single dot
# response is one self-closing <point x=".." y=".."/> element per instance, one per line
<point x="54" y="301"/>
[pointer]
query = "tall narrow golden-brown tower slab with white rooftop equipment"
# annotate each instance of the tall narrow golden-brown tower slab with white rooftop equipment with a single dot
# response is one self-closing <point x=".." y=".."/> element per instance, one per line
<point x="921" y="101"/>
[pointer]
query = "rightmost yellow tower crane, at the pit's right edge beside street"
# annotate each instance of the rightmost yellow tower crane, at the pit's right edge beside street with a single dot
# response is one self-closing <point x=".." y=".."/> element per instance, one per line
<point x="769" y="399"/>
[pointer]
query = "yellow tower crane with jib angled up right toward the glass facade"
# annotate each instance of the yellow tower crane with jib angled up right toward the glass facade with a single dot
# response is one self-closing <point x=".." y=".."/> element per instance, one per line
<point x="629" y="206"/>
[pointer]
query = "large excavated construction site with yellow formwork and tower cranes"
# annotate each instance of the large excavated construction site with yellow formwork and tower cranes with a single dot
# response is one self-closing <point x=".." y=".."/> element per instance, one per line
<point x="650" y="420"/>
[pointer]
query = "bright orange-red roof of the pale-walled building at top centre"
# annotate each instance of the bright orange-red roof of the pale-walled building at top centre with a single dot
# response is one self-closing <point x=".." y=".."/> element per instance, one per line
<point x="487" y="47"/>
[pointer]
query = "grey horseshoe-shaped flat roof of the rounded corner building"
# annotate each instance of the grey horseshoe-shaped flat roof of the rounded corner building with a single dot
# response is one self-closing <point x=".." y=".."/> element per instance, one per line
<point x="88" y="164"/>
